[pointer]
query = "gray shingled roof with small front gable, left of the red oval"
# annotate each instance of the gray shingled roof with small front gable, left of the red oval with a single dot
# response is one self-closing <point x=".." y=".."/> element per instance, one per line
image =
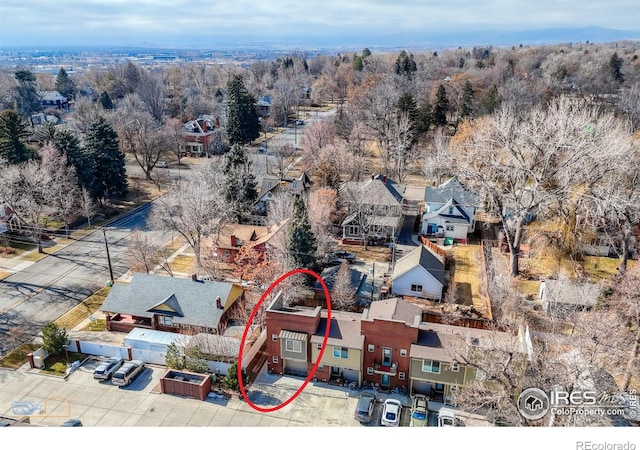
<point x="188" y="302"/>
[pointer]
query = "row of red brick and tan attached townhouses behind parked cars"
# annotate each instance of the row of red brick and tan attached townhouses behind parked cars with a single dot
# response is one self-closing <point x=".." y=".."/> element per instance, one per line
<point x="386" y="345"/>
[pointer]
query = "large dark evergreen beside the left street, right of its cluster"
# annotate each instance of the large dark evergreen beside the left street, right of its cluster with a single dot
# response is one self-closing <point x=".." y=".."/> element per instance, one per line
<point x="109" y="174"/>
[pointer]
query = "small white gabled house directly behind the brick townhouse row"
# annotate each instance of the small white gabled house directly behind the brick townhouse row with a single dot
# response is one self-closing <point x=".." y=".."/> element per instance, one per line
<point x="419" y="274"/>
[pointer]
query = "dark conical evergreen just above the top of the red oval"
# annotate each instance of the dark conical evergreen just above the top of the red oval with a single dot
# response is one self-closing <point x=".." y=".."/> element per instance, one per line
<point x="301" y="244"/>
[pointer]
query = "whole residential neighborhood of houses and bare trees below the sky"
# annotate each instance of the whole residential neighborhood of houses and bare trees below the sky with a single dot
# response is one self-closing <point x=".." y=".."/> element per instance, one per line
<point x="366" y="238"/>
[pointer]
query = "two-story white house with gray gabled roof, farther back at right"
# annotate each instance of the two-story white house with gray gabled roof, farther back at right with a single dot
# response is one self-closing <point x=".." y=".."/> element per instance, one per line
<point x="450" y="211"/>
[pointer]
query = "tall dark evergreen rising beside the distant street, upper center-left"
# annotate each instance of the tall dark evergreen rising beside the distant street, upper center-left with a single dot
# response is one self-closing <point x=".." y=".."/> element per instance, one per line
<point x="243" y="125"/>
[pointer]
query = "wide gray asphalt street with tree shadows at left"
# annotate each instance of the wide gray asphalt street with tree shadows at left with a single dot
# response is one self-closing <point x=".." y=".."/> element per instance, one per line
<point x="48" y="288"/>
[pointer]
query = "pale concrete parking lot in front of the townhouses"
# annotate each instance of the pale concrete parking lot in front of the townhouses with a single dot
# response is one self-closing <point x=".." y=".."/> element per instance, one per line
<point x="99" y="403"/>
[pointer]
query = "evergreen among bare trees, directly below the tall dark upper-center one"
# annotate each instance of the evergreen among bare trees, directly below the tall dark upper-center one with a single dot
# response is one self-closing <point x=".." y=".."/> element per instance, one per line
<point x="240" y="183"/>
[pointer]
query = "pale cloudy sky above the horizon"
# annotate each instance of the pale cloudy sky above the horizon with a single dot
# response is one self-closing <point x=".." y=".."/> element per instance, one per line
<point x="164" y="22"/>
